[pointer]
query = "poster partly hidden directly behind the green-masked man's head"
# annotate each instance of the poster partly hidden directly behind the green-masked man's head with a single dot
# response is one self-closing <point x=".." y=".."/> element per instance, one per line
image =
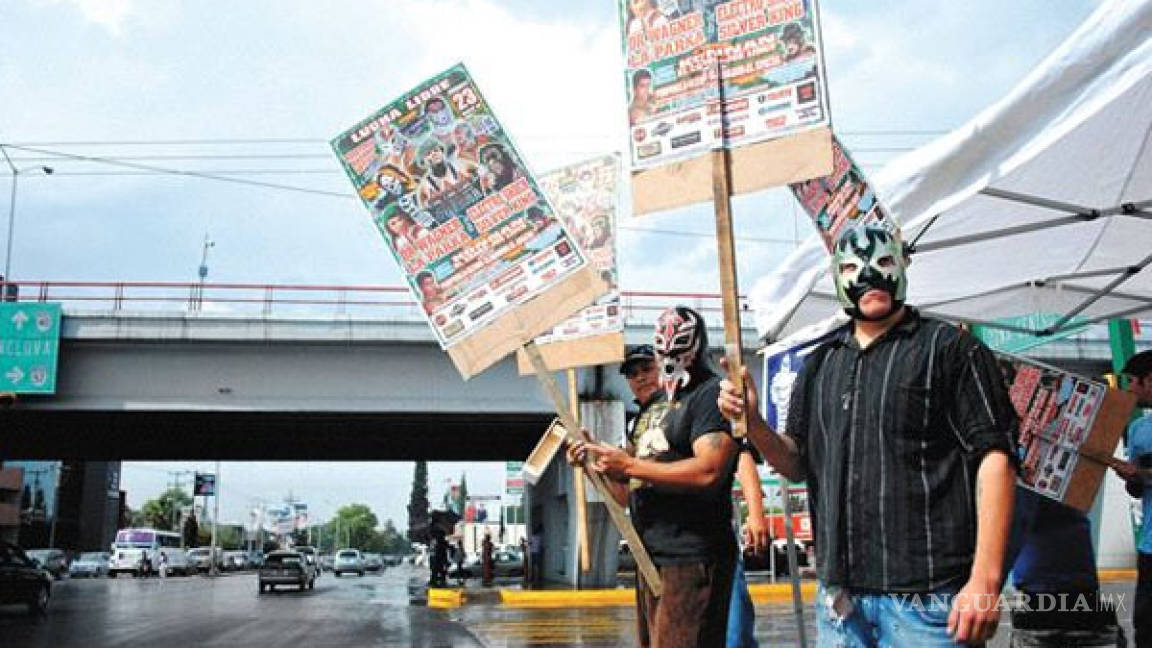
<point x="836" y="200"/>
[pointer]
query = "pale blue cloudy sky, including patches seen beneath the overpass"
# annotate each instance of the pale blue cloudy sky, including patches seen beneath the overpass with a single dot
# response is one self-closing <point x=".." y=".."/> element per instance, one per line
<point x="254" y="91"/>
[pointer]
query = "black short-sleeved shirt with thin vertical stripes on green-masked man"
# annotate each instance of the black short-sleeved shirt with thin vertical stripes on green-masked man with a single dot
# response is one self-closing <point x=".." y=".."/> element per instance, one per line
<point x="892" y="438"/>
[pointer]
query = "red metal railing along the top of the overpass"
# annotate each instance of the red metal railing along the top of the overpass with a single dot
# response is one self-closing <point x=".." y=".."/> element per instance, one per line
<point x="295" y="300"/>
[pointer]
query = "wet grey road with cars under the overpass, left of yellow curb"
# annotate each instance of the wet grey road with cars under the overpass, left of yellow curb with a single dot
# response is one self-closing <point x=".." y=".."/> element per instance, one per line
<point x="373" y="611"/>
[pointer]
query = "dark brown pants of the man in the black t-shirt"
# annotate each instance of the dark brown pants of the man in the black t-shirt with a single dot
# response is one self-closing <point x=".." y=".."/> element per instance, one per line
<point x="693" y="609"/>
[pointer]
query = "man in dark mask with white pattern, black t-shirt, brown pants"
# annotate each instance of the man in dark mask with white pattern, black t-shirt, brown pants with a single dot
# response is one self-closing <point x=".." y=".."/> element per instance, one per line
<point x="677" y="480"/>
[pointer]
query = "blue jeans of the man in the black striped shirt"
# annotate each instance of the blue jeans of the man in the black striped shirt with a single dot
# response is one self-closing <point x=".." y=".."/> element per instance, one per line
<point x="885" y="621"/>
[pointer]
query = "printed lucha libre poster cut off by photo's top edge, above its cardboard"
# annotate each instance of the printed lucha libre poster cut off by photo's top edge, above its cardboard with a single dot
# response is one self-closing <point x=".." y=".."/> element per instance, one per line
<point x="772" y="70"/>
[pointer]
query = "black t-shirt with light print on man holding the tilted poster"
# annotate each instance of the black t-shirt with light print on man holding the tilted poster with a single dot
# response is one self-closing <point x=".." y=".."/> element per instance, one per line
<point x="680" y="526"/>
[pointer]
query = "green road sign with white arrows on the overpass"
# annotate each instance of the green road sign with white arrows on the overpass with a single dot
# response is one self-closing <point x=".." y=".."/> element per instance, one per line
<point x="29" y="348"/>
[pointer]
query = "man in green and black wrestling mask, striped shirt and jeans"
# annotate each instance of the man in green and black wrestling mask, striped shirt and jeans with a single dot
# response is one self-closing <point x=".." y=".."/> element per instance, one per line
<point x="903" y="427"/>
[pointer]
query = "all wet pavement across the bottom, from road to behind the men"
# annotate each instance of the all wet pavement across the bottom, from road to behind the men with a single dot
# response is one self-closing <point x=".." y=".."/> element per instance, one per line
<point x="374" y="611"/>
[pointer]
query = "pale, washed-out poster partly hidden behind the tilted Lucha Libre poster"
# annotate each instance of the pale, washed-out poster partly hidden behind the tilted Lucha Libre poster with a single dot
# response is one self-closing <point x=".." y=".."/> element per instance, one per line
<point x="586" y="197"/>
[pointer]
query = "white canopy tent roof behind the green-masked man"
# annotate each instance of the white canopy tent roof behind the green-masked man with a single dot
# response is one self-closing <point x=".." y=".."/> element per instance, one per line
<point x="1042" y="204"/>
